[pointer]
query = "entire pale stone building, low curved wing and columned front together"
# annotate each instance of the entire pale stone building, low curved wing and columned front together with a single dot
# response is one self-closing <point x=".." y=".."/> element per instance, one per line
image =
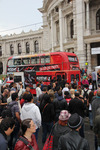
<point x="68" y="25"/>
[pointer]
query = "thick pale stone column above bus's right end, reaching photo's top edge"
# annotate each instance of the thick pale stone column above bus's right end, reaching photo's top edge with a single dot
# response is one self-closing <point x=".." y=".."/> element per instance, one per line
<point x="80" y="34"/>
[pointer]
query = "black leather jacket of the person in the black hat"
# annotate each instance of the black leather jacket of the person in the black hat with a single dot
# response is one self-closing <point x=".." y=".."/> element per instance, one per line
<point x="71" y="140"/>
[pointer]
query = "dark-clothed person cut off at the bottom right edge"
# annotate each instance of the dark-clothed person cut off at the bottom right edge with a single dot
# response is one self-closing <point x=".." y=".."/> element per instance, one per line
<point x="97" y="128"/>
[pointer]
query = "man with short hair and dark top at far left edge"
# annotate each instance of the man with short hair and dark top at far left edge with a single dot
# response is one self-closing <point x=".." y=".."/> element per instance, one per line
<point x="3" y="98"/>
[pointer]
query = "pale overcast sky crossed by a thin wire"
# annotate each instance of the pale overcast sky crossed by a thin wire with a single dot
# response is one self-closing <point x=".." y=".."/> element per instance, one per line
<point x="18" y="13"/>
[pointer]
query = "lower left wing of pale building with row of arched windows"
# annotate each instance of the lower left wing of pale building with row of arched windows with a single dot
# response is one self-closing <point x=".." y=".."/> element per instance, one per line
<point x="20" y="44"/>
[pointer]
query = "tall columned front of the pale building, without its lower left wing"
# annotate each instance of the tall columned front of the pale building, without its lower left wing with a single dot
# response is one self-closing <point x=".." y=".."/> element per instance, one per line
<point x="73" y="26"/>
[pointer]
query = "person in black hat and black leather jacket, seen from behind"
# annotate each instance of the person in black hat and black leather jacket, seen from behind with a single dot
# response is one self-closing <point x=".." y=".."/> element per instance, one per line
<point x="73" y="140"/>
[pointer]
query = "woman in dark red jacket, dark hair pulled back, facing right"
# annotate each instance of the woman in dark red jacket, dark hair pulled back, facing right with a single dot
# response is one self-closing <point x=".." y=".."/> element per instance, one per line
<point x="28" y="127"/>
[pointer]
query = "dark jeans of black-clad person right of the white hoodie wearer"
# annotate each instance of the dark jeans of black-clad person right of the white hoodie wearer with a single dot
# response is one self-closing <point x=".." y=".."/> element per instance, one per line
<point x="46" y="128"/>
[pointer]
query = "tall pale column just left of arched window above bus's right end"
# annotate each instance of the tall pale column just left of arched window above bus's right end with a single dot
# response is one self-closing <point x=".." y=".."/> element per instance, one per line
<point x="61" y="28"/>
